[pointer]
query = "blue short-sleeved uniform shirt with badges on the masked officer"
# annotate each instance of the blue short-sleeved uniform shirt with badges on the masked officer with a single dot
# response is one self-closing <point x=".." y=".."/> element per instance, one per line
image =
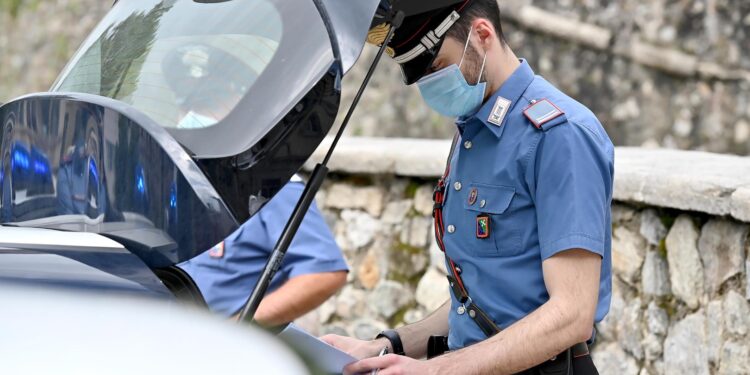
<point x="545" y="190"/>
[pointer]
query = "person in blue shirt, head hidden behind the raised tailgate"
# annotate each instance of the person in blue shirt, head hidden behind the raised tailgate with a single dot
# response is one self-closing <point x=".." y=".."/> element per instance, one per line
<point x="312" y="271"/>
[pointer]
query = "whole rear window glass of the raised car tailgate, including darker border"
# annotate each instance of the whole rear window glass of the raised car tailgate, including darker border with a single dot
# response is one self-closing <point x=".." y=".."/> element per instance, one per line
<point x="194" y="66"/>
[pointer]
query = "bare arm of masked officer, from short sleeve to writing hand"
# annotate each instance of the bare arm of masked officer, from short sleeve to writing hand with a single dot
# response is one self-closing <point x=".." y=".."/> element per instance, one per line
<point x="572" y="280"/>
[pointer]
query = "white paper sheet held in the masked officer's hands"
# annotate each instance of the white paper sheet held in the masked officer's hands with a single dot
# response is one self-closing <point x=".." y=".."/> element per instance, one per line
<point x="327" y="357"/>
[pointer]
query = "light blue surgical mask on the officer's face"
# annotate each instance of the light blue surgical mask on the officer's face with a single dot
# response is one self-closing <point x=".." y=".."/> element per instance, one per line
<point x="447" y="92"/>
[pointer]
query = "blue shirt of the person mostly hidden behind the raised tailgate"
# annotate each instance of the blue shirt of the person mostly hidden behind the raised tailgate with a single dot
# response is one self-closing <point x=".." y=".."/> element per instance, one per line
<point x="227" y="273"/>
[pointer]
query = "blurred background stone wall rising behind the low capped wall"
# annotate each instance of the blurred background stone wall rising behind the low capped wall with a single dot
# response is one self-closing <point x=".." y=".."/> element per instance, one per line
<point x="664" y="73"/>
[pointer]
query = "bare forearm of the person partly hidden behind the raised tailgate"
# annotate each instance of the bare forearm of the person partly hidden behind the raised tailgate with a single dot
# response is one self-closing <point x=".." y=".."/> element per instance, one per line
<point x="298" y="296"/>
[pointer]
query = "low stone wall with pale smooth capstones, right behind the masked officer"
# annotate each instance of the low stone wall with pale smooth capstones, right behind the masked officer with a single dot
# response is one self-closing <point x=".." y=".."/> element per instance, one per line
<point x="680" y="244"/>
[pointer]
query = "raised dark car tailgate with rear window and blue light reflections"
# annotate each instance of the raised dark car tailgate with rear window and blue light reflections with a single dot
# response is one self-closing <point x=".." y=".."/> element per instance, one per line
<point x="178" y="119"/>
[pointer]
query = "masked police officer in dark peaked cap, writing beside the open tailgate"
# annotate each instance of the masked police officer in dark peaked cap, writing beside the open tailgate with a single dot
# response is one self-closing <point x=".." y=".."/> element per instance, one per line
<point x="522" y="212"/>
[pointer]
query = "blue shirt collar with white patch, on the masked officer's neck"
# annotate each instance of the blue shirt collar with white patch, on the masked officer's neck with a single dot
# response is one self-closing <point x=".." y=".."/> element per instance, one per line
<point x="511" y="89"/>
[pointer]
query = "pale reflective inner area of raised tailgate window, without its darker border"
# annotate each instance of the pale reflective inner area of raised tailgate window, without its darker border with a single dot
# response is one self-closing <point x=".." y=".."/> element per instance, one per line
<point x="183" y="65"/>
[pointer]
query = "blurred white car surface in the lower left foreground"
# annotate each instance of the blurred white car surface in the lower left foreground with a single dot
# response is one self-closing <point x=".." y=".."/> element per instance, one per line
<point x="52" y="332"/>
